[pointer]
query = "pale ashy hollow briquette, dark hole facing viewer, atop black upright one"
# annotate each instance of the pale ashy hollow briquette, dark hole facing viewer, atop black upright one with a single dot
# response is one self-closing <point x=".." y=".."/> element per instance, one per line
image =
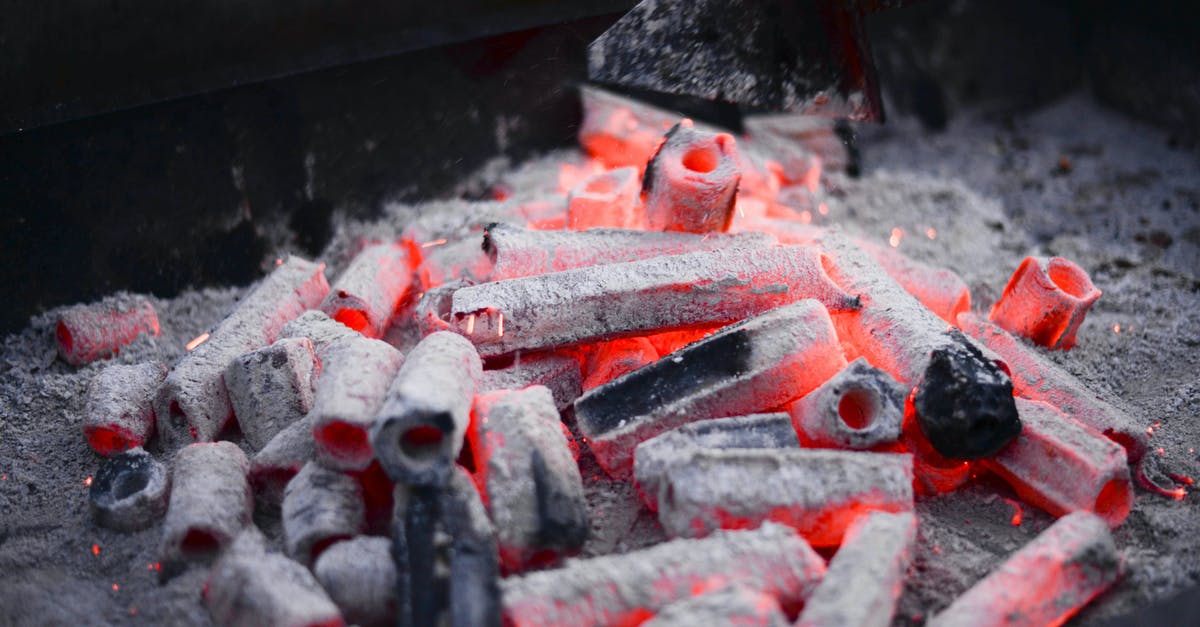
<point x="419" y="432"/>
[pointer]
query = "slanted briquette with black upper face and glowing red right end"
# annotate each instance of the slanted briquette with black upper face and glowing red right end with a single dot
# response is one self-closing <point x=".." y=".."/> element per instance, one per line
<point x="746" y="368"/>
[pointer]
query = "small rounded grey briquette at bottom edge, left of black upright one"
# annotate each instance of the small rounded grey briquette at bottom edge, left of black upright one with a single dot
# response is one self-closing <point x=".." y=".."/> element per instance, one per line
<point x="361" y="577"/>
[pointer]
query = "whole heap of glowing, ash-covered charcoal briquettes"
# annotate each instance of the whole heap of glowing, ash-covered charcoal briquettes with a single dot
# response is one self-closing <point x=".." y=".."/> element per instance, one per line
<point x="778" y="392"/>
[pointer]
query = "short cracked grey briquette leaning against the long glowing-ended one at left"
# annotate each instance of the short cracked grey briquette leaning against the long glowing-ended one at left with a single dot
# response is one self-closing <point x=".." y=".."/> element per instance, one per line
<point x="272" y="389"/>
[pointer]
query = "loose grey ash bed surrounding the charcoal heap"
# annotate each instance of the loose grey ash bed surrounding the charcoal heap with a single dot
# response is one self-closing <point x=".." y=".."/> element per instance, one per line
<point x="1127" y="210"/>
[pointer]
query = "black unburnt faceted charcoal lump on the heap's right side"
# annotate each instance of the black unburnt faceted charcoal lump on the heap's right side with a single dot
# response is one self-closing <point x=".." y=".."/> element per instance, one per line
<point x="964" y="403"/>
